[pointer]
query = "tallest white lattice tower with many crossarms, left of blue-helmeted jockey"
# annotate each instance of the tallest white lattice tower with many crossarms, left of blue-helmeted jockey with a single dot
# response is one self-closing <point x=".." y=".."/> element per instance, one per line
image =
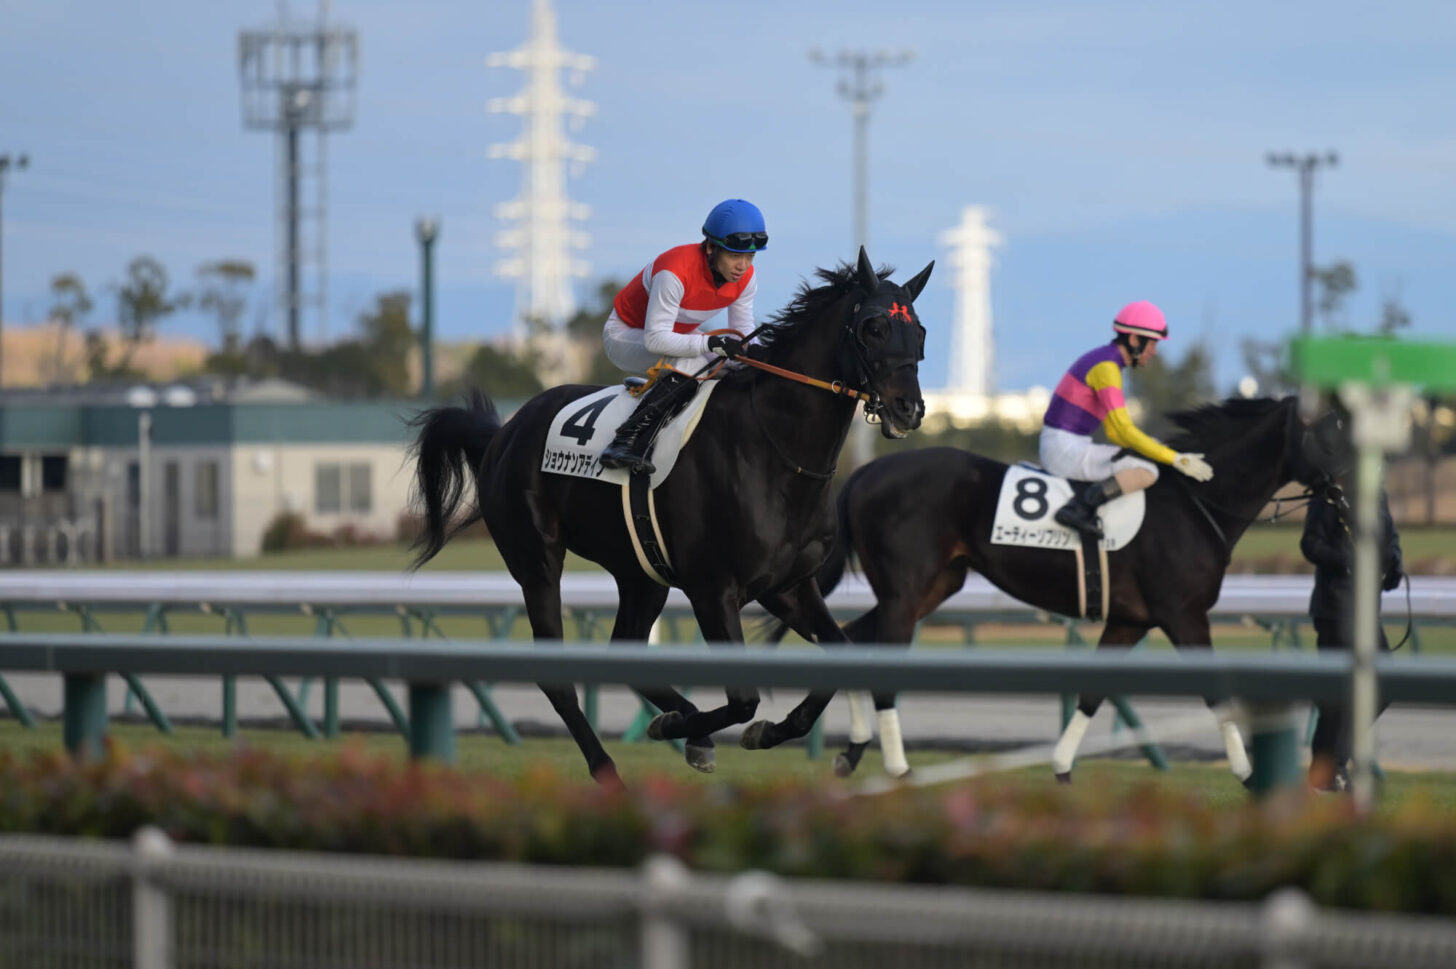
<point x="544" y="238"/>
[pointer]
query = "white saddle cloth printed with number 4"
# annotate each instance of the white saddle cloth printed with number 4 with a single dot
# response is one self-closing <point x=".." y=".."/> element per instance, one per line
<point x="582" y="431"/>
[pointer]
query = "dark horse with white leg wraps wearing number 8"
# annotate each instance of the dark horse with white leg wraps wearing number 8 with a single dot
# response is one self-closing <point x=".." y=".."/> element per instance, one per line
<point x="921" y="520"/>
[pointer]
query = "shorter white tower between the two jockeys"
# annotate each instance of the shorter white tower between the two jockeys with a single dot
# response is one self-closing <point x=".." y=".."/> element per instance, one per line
<point x="972" y="348"/>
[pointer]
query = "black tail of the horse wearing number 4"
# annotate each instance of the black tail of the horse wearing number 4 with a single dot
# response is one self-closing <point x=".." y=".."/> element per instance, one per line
<point x="449" y="439"/>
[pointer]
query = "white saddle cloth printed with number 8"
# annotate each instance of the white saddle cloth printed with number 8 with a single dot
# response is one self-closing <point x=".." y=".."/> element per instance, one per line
<point x="1030" y="500"/>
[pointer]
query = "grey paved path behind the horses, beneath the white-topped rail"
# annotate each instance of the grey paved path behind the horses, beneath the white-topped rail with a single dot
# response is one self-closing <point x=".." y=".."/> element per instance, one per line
<point x="1407" y="738"/>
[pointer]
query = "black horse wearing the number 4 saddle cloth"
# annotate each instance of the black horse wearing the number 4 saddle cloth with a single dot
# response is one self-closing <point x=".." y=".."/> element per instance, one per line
<point x="746" y="513"/>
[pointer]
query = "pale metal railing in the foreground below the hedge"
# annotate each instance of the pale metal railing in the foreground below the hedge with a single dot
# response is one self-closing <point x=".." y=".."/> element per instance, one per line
<point x="161" y="906"/>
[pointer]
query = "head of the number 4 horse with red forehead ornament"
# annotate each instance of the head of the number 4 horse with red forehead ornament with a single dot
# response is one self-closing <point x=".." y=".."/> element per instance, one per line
<point x="886" y="344"/>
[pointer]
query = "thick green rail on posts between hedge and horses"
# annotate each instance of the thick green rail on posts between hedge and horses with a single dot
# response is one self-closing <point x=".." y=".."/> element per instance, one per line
<point x="1267" y="685"/>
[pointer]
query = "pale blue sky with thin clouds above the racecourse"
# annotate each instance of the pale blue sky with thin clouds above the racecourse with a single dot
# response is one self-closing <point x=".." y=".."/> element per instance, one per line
<point x="1119" y="145"/>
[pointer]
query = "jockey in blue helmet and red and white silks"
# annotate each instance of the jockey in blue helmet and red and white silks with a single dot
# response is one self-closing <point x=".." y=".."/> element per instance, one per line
<point x="659" y="316"/>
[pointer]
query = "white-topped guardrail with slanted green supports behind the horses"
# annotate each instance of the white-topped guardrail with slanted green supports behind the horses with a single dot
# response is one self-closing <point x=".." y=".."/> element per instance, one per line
<point x="419" y="600"/>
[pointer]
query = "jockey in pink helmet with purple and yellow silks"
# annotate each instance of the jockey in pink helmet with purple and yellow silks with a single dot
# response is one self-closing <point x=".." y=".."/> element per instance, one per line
<point x="1091" y="395"/>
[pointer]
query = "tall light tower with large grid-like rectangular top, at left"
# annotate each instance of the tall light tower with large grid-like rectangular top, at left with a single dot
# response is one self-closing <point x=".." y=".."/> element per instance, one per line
<point x="301" y="78"/>
